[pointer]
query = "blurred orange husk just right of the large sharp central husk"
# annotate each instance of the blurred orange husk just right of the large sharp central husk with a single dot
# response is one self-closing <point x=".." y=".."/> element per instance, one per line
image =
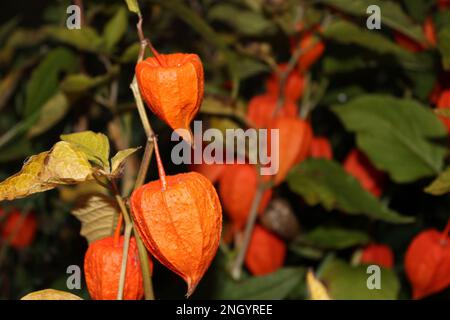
<point x="237" y="188"/>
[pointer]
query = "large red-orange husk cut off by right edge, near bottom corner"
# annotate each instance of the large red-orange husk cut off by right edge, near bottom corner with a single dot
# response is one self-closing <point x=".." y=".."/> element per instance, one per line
<point x="427" y="263"/>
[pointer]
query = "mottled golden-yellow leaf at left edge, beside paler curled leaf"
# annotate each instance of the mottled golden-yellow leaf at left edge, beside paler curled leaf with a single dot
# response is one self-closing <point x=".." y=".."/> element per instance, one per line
<point x="27" y="181"/>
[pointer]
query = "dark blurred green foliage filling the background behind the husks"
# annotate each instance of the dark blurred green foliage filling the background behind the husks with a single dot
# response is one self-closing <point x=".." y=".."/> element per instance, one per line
<point x="54" y="80"/>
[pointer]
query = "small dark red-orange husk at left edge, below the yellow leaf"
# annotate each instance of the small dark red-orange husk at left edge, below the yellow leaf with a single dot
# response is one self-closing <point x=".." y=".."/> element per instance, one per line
<point x="24" y="229"/>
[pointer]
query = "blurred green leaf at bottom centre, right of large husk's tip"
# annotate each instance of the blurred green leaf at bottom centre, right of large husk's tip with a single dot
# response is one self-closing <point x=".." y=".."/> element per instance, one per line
<point x="274" y="286"/>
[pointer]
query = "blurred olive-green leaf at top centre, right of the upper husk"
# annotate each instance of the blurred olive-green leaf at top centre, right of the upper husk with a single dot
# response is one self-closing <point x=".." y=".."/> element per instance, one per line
<point x="246" y="22"/>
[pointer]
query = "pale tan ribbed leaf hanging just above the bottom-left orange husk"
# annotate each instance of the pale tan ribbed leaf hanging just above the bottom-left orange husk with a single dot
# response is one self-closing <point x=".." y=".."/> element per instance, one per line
<point x="98" y="215"/>
